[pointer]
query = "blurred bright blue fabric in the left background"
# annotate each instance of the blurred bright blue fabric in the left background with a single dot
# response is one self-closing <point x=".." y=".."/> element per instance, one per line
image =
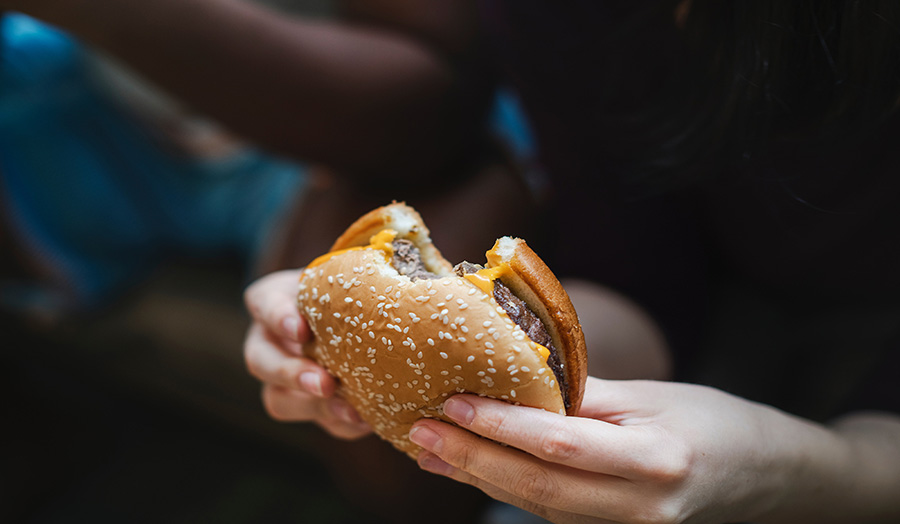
<point x="93" y="195"/>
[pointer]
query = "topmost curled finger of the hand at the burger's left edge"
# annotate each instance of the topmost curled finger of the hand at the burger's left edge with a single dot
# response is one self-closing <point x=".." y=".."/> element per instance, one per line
<point x="271" y="300"/>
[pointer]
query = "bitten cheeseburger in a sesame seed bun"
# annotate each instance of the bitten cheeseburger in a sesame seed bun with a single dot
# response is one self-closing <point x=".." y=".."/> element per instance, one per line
<point x="402" y="329"/>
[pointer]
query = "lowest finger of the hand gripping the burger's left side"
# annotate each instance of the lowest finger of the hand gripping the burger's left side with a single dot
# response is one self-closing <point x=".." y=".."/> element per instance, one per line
<point x="334" y="414"/>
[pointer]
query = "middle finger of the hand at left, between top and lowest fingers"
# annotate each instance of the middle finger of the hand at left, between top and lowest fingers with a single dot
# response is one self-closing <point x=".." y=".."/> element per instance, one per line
<point x="269" y="364"/>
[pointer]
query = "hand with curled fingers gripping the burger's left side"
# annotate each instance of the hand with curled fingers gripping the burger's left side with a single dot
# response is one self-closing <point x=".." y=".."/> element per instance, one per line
<point x="295" y="388"/>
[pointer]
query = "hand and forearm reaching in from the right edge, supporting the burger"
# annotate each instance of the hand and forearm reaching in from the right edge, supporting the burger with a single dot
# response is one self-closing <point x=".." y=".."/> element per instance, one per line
<point x="643" y="451"/>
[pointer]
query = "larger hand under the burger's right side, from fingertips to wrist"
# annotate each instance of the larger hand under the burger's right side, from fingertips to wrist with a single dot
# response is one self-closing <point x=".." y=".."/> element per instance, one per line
<point x="639" y="451"/>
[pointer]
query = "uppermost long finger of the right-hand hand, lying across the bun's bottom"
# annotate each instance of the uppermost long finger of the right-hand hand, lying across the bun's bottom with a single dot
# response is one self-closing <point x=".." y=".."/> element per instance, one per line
<point x="585" y="444"/>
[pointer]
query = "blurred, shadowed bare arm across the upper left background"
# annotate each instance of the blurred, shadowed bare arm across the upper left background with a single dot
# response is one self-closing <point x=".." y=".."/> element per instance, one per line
<point x="369" y="98"/>
